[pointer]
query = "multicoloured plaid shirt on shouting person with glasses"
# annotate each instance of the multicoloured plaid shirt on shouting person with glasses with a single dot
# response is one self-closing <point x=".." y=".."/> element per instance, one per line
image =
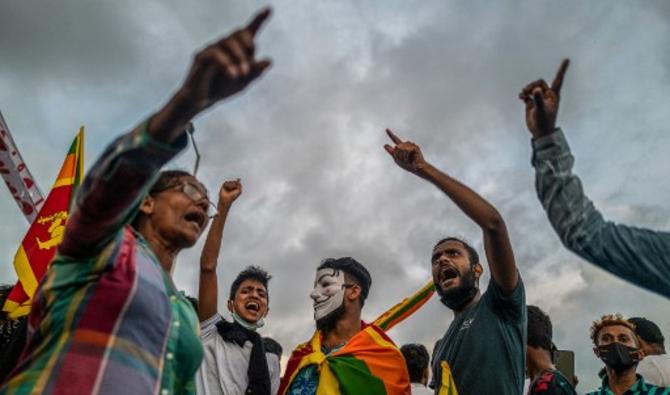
<point x="110" y="321"/>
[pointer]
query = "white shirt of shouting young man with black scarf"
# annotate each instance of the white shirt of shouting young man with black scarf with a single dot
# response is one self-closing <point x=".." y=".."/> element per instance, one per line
<point x="224" y="367"/>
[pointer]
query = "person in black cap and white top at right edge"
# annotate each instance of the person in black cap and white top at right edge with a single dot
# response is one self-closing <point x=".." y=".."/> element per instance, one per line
<point x="655" y="367"/>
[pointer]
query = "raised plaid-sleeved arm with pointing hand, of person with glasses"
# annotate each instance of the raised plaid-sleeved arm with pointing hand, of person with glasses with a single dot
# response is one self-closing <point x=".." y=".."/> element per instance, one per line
<point x="114" y="187"/>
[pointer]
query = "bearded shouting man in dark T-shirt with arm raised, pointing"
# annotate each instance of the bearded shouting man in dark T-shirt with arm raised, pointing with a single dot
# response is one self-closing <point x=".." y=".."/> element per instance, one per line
<point x="484" y="347"/>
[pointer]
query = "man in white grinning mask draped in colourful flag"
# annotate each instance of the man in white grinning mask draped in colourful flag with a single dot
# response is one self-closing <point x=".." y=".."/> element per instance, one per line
<point x="346" y="355"/>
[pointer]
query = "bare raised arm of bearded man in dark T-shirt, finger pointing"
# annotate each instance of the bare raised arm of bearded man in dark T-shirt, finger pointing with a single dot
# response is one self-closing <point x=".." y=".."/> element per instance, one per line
<point x="497" y="245"/>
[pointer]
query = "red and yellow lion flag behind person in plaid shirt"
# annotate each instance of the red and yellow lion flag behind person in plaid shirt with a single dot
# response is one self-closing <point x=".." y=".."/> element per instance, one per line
<point x="46" y="232"/>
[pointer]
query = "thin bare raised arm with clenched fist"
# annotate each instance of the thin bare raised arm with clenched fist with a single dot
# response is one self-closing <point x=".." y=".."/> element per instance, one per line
<point x="208" y="289"/>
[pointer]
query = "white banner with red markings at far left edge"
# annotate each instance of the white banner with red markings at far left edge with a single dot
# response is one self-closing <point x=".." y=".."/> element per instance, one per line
<point x="16" y="175"/>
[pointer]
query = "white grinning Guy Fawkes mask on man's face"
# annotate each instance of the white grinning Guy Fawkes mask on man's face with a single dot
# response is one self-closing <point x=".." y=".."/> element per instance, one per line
<point x="328" y="292"/>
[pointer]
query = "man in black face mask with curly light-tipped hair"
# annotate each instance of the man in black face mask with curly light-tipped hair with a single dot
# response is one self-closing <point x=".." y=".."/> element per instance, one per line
<point x="618" y="347"/>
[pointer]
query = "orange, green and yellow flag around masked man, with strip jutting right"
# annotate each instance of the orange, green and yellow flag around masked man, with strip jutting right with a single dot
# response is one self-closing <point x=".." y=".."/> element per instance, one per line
<point x="370" y="363"/>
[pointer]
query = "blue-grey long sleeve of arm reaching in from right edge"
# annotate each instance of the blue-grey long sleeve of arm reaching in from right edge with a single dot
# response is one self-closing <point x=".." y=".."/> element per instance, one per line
<point x="638" y="255"/>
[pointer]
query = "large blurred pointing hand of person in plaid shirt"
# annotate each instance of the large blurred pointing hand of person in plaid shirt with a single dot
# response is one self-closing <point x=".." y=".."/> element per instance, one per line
<point x="224" y="68"/>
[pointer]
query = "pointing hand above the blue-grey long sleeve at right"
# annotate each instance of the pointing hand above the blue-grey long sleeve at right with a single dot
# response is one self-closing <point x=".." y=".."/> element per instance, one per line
<point x="542" y="103"/>
